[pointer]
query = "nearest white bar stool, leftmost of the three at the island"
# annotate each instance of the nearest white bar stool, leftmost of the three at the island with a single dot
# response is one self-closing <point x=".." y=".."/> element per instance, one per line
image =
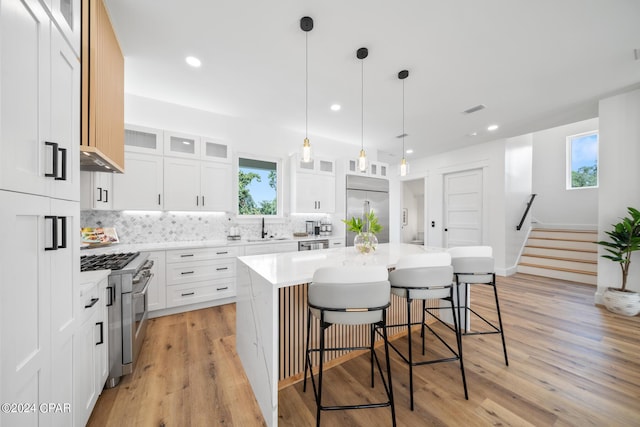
<point x="349" y="296"/>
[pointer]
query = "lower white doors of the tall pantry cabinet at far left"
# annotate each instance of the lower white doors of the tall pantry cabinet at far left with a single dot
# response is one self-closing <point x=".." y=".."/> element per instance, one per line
<point x="39" y="267"/>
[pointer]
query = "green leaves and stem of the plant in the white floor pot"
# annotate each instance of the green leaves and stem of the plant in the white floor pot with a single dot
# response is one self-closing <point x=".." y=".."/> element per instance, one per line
<point x="625" y="239"/>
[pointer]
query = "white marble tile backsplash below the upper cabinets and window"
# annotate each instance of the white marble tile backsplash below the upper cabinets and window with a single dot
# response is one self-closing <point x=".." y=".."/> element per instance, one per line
<point x="151" y="227"/>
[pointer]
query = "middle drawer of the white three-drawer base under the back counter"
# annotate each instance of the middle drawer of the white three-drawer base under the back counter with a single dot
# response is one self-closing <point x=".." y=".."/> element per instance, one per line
<point x="200" y="271"/>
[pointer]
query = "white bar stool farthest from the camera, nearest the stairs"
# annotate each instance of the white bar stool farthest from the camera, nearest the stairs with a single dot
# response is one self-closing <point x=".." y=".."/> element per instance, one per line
<point x="475" y="265"/>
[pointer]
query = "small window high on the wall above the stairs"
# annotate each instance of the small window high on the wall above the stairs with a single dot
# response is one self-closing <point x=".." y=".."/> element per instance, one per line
<point x="582" y="160"/>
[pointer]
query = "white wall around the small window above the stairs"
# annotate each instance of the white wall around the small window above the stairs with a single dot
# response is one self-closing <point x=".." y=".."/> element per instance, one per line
<point x="555" y="206"/>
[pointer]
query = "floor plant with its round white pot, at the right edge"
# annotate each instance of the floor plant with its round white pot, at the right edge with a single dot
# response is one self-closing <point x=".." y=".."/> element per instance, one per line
<point x="625" y="239"/>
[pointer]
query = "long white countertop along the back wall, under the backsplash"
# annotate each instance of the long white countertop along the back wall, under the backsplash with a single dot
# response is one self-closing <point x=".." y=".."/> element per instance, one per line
<point x="161" y="246"/>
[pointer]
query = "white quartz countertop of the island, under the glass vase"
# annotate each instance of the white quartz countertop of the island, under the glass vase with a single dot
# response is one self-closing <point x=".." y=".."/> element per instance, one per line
<point x="293" y="268"/>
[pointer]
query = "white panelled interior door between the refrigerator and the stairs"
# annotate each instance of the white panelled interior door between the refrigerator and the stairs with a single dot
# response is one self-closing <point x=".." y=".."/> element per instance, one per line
<point x="463" y="208"/>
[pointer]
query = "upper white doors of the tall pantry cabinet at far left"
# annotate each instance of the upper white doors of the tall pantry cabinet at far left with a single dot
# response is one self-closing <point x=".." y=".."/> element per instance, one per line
<point x="39" y="110"/>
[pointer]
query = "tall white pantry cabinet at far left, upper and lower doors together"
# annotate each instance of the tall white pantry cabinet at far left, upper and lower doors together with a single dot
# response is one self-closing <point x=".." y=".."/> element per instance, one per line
<point x="39" y="209"/>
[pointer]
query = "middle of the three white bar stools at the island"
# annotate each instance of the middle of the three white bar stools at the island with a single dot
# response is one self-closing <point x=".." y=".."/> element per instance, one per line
<point x="421" y="277"/>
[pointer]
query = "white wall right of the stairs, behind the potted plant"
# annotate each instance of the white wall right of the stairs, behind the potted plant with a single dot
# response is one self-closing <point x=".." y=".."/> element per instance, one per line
<point x="619" y="179"/>
